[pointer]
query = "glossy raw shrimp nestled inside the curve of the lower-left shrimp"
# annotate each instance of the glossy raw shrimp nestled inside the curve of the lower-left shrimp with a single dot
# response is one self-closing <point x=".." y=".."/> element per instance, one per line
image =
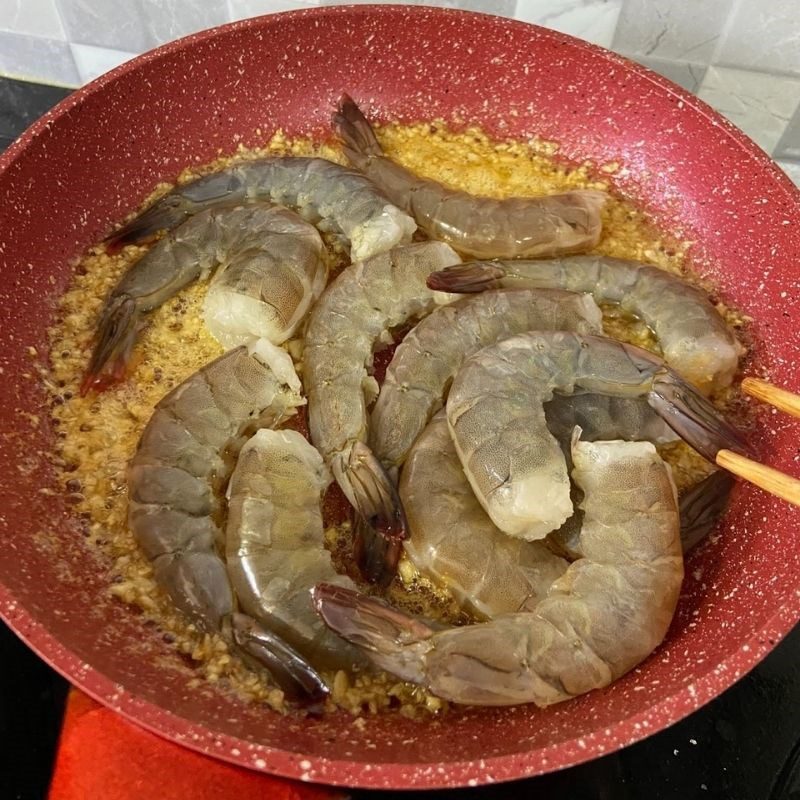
<point x="275" y="547"/>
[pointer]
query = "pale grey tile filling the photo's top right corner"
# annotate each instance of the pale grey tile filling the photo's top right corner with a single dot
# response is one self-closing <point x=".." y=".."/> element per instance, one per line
<point x="763" y="35"/>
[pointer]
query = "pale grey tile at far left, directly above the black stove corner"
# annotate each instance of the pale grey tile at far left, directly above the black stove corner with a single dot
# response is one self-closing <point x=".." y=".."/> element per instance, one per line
<point x="37" y="59"/>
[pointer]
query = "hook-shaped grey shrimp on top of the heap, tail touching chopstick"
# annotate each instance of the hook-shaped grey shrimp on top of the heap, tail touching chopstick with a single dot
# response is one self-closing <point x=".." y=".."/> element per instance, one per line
<point x="496" y="416"/>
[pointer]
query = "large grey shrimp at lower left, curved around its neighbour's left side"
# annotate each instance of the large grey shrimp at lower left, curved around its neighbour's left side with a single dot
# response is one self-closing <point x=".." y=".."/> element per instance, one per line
<point x="175" y="484"/>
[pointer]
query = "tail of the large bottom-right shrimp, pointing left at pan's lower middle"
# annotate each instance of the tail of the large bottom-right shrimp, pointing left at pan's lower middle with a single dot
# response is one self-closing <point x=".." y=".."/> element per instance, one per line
<point x="394" y="640"/>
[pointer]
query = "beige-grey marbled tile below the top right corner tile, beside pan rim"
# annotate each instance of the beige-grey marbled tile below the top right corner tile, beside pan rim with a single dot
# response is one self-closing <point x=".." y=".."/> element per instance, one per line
<point x="760" y="104"/>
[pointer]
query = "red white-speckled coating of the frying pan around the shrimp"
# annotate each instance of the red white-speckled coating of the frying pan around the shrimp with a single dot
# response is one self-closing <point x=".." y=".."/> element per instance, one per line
<point x="91" y="160"/>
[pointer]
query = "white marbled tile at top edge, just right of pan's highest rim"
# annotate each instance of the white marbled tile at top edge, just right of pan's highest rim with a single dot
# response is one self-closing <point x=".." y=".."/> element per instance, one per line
<point x="592" y="20"/>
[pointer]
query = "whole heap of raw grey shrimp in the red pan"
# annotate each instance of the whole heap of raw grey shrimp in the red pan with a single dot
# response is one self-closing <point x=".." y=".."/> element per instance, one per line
<point x="227" y="507"/>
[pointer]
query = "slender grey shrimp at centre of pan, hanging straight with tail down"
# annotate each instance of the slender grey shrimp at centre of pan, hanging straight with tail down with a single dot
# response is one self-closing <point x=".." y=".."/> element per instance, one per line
<point x="354" y="315"/>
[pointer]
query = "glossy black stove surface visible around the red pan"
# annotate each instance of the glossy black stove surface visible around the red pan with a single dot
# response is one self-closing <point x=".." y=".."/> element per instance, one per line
<point x="745" y="745"/>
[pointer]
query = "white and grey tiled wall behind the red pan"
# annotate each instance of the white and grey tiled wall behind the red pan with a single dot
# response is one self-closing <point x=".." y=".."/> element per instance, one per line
<point x="742" y="56"/>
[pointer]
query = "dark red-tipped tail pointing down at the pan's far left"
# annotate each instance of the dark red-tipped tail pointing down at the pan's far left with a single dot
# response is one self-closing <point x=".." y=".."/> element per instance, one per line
<point x="117" y="333"/>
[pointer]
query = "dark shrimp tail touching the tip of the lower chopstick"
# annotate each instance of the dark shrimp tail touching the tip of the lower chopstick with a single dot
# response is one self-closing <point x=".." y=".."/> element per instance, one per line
<point x="693" y="417"/>
